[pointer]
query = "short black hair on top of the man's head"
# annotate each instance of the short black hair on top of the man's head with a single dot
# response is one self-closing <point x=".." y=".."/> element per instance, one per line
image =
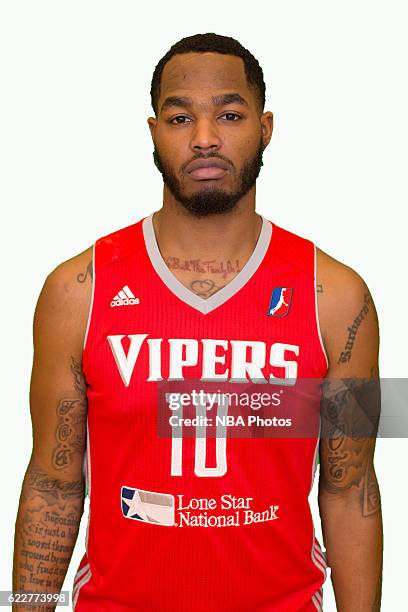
<point x="215" y="43"/>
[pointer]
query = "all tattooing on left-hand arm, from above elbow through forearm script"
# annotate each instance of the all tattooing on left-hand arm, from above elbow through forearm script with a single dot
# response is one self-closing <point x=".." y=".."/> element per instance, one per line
<point x="51" y="506"/>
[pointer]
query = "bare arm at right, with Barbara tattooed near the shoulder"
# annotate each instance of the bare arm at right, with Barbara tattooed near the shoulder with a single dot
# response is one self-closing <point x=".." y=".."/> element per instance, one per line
<point x="349" y="496"/>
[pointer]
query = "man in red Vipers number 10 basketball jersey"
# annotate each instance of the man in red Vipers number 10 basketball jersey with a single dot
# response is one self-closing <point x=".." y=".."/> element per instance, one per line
<point x="202" y="291"/>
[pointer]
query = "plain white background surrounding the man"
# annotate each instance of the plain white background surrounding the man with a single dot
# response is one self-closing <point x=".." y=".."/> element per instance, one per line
<point x="76" y="163"/>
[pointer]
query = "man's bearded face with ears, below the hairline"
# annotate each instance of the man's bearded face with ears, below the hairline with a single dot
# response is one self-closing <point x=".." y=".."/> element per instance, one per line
<point x="199" y="123"/>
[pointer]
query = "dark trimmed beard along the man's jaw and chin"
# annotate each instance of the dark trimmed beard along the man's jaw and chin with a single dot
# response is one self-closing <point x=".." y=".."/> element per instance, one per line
<point x="212" y="200"/>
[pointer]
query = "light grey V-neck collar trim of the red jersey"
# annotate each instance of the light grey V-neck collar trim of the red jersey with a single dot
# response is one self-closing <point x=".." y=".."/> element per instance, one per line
<point x="222" y="295"/>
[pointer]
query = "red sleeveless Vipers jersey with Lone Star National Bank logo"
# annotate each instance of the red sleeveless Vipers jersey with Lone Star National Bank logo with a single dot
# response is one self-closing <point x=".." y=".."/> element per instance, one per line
<point x="178" y="519"/>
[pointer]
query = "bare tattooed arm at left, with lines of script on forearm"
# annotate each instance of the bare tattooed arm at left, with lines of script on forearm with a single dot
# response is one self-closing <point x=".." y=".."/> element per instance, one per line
<point x="53" y="490"/>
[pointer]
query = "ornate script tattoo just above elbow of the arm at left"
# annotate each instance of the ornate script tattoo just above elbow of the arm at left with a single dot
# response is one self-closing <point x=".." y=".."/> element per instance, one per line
<point x="71" y="422"/>
